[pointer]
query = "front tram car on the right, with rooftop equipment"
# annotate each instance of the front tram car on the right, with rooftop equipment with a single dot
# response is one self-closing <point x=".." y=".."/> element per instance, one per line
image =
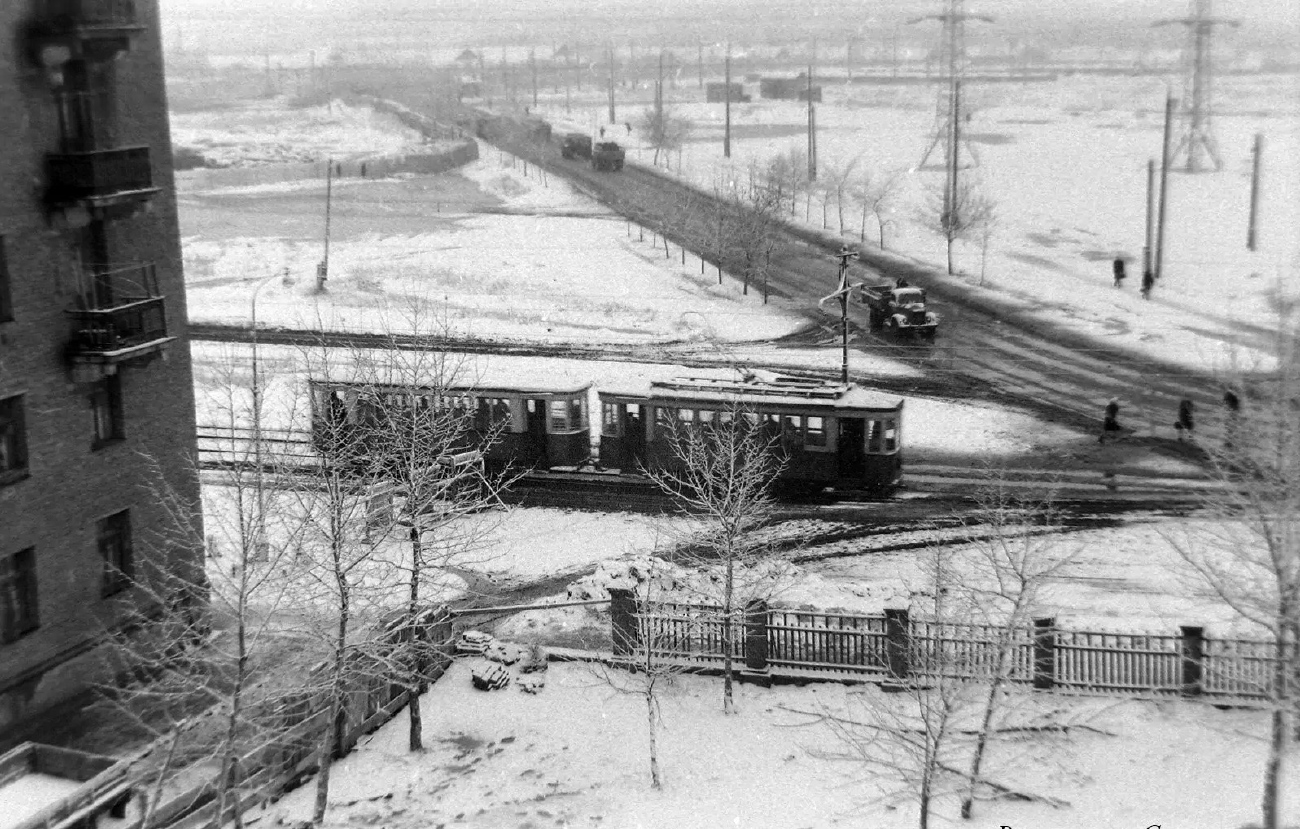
<point x="830" y="435"/>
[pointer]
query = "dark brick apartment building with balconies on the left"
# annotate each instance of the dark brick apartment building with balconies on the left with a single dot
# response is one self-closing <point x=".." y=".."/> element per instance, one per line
<point x="94" y="361"/>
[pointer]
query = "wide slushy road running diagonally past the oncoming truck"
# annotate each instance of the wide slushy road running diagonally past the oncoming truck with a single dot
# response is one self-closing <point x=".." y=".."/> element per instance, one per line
<point x="983" y="349"/>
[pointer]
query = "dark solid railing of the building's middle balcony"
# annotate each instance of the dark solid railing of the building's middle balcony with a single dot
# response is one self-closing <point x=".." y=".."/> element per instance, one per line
<point x="101" y="176"/>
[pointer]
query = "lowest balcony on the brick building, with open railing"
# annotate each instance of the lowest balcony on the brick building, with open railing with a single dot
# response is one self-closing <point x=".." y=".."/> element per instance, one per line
<point x="128" y="323"/>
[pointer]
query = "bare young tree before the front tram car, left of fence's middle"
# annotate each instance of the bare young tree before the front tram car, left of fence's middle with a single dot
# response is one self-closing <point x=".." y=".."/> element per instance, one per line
<point x="722" y="472"/>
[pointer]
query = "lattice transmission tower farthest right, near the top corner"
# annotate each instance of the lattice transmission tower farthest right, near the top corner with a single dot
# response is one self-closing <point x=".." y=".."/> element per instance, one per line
<point x="1197" y="142"/>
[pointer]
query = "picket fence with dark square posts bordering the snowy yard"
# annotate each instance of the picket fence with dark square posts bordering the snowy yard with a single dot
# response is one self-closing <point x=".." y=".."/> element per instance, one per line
<point x="898" y="648"/>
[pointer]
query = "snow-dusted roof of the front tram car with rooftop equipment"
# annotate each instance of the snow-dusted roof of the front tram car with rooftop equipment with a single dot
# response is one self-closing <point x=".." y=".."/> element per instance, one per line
<point x="761" y="389"/>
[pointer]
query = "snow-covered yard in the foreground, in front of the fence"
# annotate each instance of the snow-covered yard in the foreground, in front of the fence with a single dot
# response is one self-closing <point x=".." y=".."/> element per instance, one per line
<point x="575" y="756"/>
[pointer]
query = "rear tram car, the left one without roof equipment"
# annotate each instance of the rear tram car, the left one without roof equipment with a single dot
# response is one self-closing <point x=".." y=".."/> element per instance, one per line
<point x="540" y="427"/>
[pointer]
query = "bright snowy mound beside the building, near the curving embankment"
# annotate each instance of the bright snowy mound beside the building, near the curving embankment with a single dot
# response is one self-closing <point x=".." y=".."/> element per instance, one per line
<point x="274" y="132"/>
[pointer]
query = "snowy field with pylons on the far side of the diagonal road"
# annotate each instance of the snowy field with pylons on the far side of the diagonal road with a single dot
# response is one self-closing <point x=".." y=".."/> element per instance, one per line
<point x="1065" y="163"/>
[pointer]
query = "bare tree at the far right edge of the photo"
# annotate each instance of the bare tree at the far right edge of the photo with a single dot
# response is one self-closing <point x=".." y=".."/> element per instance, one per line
<point x="1247" y="549"/>
